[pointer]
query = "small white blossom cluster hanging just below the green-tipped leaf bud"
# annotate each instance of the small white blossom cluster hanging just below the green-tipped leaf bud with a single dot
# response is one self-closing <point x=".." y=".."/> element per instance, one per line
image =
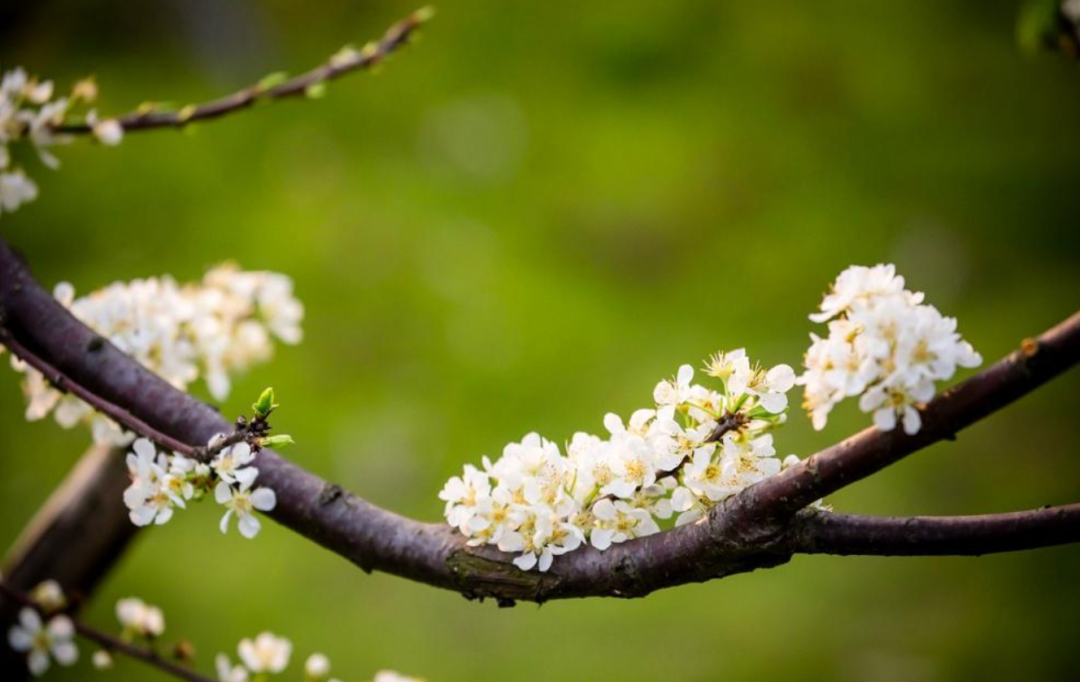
<point x="163" y="483"/>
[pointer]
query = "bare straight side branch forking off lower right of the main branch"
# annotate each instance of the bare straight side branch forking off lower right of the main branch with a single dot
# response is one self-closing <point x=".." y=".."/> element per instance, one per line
<point x="922" y="537"/>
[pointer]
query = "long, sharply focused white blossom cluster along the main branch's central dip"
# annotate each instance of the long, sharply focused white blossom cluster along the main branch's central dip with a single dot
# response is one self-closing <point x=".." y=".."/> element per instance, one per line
<point x="694" y="449"/>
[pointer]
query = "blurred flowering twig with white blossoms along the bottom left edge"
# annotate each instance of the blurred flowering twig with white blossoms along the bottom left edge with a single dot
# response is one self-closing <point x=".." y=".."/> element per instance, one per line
<point x="45" y="634"/>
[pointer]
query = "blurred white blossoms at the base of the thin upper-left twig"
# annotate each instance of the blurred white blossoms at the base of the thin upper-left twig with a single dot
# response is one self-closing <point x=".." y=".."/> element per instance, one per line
<point x="30" y="112"/>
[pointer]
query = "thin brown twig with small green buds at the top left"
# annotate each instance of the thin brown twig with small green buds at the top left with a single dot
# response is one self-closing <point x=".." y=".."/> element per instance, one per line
<point x="396" y="37"/>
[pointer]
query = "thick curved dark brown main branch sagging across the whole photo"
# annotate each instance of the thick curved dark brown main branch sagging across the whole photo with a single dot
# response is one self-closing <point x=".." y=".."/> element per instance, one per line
<point x="746" y="532"/>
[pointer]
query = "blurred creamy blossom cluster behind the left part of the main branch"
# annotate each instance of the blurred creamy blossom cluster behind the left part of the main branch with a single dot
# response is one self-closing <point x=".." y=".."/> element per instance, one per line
<point x="223" y="325"/>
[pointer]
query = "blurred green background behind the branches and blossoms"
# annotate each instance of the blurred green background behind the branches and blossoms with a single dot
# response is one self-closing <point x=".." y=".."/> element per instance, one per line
<point x="522" y="223"/>
